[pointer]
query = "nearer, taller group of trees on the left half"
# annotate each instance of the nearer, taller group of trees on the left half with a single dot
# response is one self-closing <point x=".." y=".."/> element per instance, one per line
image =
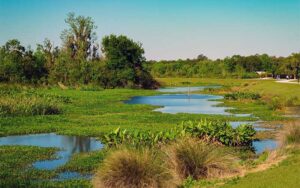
<point x="78" y="60"/>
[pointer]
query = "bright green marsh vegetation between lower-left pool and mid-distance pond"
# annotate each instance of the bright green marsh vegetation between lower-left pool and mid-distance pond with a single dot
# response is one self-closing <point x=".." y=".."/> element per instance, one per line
<point x="94" y="112"/>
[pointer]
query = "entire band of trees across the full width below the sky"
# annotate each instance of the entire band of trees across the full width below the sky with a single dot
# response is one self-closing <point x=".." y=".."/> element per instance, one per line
<point x="122" y="63"/>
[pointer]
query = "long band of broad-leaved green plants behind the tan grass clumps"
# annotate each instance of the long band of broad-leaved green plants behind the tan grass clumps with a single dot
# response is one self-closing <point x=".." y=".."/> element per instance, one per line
<point x="211" y="131"/>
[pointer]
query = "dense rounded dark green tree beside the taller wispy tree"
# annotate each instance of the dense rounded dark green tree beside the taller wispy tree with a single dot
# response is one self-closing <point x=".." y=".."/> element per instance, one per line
<point x="124" y="60"/>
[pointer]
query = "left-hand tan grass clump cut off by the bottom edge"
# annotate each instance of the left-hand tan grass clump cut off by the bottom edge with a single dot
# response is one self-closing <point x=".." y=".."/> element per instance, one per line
<point x="133" y="169"/>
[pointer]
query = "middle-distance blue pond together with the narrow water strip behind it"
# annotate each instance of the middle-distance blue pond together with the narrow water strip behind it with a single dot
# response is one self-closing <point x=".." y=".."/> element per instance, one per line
<point x="179" y="100"/>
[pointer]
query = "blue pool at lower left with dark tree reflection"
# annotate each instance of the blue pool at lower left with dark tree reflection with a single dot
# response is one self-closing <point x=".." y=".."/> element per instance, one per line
<point x="68" y="145"/>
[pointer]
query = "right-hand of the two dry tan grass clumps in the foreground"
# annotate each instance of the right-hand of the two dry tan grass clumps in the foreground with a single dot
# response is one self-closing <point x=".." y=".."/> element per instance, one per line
<point x="197" y="159"/>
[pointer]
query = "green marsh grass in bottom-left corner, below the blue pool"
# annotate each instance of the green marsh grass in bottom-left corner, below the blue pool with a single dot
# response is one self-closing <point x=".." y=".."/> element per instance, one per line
<point x="15" y="164"/>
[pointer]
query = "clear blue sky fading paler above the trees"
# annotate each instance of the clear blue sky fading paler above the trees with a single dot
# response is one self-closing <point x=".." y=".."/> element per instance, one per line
<point x="168" y="29"/>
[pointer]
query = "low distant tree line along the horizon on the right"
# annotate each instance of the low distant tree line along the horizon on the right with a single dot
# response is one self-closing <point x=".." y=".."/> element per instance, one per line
<point x="234" y="67"/>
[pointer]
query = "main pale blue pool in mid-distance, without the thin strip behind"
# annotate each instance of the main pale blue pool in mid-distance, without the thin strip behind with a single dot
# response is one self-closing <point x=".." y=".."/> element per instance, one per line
<point x="181" y="103"/>
